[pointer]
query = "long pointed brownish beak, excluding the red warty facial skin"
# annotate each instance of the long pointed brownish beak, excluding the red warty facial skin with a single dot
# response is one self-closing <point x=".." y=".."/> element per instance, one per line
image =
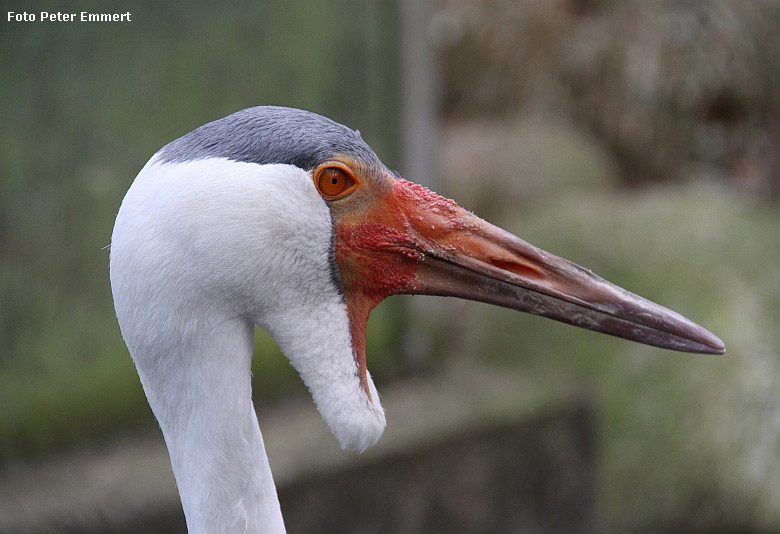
<point x="481" y="262"/>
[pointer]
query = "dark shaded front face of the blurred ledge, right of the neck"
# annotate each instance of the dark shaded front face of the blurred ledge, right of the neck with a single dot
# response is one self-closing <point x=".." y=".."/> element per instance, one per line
<point x="533" y="476"/>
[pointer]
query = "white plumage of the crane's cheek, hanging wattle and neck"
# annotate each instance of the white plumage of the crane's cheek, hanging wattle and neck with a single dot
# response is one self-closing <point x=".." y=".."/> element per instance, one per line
<point x="201" y="252"/>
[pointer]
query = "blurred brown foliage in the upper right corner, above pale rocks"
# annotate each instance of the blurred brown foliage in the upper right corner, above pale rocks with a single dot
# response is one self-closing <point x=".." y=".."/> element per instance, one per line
<point x="671" y="88"/>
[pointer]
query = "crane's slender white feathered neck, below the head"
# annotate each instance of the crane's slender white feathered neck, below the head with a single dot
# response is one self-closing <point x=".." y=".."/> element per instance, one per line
<point x="200" y="392"/>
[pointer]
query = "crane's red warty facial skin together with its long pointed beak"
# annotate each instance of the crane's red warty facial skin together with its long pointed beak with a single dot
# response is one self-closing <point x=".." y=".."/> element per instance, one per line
<point x="408" y="239"/>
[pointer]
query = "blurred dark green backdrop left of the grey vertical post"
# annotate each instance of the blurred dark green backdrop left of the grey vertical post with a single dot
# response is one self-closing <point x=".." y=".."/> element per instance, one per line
<point x="84" y="106"/>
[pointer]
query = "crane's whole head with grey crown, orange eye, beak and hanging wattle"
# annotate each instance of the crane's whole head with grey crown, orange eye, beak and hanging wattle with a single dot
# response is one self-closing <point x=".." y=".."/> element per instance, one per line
<point x="289" y="220"/>
